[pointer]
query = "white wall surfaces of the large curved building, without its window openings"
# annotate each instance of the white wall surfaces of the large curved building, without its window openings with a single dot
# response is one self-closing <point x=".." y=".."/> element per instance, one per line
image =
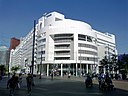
<point x="55" y="23"/>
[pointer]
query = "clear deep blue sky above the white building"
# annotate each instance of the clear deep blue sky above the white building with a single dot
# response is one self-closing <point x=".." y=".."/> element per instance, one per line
<point x="17" y="17"/>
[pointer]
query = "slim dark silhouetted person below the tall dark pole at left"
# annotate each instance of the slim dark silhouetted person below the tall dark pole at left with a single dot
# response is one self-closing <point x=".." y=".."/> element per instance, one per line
<point x="29" y="83"/>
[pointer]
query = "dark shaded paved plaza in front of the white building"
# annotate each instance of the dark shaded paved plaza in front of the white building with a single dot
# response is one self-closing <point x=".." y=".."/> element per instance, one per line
<point x="64" y="87"/>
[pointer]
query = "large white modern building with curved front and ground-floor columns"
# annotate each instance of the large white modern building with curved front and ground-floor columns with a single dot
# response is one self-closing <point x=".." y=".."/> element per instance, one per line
<point x="63" y="46"/>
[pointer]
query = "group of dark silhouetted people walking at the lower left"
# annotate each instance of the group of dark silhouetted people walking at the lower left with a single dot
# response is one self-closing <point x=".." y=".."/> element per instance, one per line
<point x="15" y="82"/>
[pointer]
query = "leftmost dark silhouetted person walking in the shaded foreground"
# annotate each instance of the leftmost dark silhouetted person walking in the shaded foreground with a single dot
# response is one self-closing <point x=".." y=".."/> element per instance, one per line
<point x="11" y="84"/>
